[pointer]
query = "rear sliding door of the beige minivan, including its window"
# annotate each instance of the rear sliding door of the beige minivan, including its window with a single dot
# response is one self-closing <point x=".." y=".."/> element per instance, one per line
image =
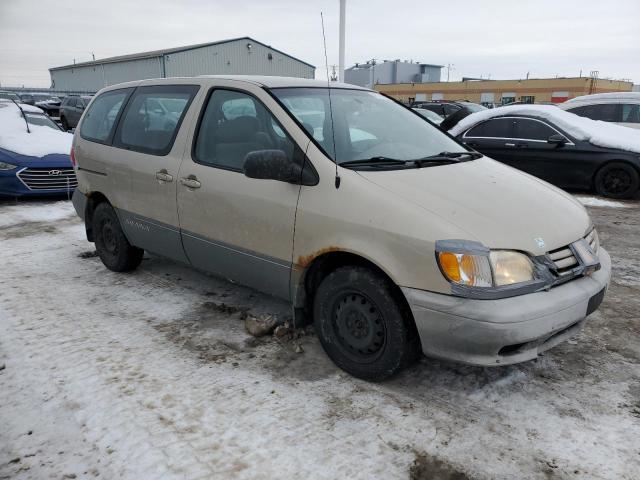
<point x="149" y="147"/>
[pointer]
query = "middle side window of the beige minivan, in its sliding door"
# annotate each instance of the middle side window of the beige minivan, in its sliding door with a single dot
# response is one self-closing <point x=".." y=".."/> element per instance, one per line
<point x="152" y="118"/>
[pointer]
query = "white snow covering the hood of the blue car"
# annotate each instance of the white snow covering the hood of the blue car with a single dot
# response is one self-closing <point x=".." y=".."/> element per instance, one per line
<point x="40" y="142"/>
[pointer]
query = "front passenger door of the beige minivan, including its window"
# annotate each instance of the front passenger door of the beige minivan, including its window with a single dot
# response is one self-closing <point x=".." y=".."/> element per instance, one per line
<point x="237" y="227"/>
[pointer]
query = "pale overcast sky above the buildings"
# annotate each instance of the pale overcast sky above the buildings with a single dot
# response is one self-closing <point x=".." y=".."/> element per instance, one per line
<point x="496" y="38"/>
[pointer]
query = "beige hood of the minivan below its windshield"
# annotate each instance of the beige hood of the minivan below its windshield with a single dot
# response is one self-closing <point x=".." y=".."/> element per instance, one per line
<point x="497" y="205"/>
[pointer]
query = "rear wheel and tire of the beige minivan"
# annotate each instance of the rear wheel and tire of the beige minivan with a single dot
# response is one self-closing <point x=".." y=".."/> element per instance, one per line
<point x="112" y="246"/>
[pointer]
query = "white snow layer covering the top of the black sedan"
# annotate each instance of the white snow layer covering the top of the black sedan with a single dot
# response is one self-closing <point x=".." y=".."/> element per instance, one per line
<point x="602" y="134"/>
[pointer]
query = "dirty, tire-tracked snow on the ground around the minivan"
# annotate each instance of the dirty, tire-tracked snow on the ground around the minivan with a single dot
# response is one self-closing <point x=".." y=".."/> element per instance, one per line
<point x="151" y="375"/>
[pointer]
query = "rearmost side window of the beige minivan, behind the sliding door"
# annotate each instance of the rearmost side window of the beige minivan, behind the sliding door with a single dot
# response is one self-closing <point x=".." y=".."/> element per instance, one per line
<point x="98" y="122"/>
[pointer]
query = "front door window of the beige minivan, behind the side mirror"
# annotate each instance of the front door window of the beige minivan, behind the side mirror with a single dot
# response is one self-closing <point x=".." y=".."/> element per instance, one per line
<point x="235" y="124"/>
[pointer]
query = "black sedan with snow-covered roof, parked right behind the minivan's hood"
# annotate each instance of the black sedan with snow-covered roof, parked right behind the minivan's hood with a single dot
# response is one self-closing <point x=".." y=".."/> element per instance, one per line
<point x="539" y="141"/>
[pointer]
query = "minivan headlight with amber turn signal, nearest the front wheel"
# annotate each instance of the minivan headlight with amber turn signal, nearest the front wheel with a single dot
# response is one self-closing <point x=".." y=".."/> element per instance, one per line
<point x="483" y="267"/>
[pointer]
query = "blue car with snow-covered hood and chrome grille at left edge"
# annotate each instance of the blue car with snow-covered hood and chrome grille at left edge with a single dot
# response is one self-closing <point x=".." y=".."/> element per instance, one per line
<point x="34" y="158"/>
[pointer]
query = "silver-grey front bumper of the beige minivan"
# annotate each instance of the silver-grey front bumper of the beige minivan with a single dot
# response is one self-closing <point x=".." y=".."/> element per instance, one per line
<point x="508" y="330"/>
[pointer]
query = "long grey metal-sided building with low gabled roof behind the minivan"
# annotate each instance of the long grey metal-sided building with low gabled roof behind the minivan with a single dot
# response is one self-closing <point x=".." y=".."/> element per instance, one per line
<point x="238" y="56"/>
